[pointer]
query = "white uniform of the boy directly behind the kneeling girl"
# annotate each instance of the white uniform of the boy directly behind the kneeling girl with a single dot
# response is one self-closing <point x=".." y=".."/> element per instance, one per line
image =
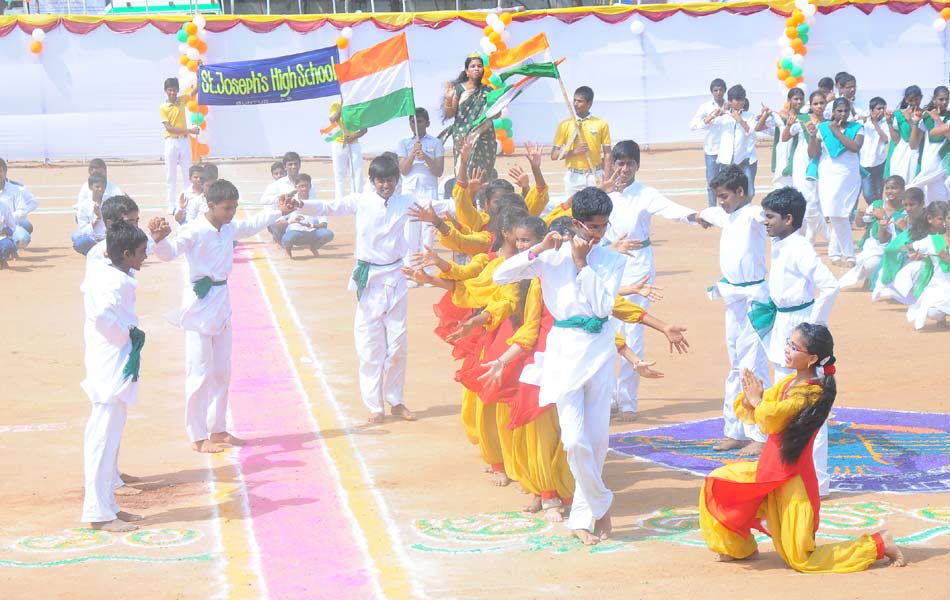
<point x="798" y="276"/>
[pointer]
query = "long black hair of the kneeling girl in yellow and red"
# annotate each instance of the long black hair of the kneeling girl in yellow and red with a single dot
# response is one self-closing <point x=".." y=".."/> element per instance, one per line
<point x="799" y="432"/>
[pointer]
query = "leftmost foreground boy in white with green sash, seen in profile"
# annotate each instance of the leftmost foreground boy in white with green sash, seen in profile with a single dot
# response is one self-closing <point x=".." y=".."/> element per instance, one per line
<point x="112" y="359"/>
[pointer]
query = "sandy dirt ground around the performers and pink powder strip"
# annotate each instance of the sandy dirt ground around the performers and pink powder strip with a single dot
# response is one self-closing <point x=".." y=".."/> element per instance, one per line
<point x="421" y="473"/>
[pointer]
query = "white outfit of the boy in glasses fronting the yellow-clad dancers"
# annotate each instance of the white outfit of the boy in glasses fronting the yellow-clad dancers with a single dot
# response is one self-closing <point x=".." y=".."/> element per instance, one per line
<point x="578" y="368"/>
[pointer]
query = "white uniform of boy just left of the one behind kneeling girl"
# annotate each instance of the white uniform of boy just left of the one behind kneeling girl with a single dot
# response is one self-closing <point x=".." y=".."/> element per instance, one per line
<point x="741" y="261"/>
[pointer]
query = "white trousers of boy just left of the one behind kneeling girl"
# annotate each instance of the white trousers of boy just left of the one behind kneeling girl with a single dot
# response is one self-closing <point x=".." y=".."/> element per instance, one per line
<point x="745" y="352"/>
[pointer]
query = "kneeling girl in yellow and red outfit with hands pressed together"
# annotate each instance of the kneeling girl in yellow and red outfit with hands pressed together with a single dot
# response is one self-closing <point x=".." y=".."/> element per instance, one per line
<point x="778" y="494"/>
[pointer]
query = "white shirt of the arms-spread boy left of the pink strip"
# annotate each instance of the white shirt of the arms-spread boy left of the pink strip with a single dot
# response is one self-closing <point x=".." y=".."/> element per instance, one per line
<point x="210" y="253"/>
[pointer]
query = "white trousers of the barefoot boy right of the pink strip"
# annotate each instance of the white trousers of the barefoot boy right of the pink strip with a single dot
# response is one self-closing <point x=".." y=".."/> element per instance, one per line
<point x="382" y="344"/>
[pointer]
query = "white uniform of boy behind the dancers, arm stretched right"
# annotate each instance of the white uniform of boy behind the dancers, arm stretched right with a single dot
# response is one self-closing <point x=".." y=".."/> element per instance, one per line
<point x="634" y="207"/>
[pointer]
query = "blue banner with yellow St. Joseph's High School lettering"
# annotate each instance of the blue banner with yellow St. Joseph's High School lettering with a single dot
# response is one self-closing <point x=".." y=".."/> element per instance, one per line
<point x="281" y="79"/>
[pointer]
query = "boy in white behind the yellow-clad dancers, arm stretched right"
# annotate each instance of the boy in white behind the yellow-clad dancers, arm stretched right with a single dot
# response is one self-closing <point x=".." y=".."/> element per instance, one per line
<point x="629" y="231"/>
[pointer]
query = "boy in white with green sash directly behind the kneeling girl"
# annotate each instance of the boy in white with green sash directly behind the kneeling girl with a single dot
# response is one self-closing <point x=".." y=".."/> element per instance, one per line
<point x="801" y="290"/>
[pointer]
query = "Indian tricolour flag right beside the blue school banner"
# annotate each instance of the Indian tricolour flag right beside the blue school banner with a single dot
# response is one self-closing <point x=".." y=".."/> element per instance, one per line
<point x="375" y="84"/>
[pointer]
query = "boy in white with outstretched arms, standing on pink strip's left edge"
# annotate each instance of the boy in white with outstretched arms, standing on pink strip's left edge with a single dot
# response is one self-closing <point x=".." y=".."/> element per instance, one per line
<point x="208" y="245"/>
